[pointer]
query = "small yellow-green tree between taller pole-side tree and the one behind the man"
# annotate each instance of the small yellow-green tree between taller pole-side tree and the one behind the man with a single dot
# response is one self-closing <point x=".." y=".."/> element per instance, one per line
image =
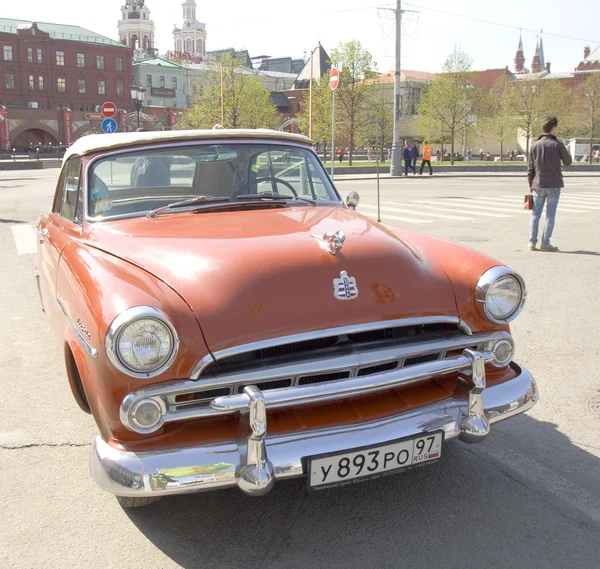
<point x="494" y="113"/>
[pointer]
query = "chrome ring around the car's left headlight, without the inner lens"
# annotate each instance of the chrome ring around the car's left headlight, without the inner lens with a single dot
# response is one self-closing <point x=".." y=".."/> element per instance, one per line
<point x="118" y="326"/>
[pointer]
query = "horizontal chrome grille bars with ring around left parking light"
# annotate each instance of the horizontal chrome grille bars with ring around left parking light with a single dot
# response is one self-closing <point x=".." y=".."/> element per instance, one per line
<point x="166" y="393"/>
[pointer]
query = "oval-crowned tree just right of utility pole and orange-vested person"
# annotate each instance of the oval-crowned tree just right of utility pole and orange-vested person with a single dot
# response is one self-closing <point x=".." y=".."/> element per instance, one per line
<point x="446" y="104"/>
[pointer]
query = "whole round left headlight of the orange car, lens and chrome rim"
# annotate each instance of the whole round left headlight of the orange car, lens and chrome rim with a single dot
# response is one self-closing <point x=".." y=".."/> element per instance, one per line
<point x="141" y="342"/>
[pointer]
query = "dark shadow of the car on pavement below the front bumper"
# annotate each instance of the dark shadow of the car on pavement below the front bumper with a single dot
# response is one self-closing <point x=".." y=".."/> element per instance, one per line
<point x="470" y="510"/>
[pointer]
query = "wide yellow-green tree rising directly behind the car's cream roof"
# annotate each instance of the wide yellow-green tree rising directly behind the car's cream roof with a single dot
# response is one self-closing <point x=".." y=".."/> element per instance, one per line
<point x="246" y="103"/>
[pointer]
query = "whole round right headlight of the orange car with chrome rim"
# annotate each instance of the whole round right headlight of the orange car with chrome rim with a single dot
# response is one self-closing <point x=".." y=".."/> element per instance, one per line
<point x="501" y="293"/>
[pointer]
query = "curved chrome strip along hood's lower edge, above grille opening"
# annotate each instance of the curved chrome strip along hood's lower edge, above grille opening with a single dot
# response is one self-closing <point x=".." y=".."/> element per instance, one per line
<point x="326" y="333"/>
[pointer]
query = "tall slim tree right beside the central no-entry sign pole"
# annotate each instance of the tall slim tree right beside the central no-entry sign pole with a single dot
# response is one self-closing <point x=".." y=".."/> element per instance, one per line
<point x="352" y="97"/>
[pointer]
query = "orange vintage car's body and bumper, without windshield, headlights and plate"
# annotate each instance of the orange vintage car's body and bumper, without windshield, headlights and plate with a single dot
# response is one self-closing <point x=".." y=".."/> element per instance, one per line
<point x="231" y="280"/>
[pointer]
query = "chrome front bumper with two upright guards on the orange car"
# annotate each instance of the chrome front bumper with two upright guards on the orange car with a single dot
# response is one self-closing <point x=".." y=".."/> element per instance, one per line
<point x="255" y="461"/>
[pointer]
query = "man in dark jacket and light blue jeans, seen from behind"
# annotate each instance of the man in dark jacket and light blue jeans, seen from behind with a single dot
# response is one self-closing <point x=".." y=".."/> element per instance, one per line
<point x="545" y="181"/>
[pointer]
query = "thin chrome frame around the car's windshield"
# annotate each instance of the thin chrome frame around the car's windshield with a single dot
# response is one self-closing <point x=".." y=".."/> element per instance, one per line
<point x="147" y="146"/>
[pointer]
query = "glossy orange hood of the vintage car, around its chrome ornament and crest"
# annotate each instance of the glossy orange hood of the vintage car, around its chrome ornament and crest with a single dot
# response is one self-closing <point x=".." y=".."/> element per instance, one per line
<point x="258" y="274"/>
